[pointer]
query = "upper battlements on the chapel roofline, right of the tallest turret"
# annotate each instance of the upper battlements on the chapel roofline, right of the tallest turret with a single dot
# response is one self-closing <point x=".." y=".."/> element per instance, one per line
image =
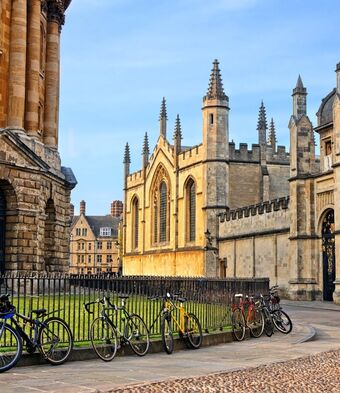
<point x="244" y="155"/>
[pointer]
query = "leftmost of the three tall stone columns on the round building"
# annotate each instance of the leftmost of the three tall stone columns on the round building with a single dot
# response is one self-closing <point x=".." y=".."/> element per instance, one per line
<point x="17" y="65"/>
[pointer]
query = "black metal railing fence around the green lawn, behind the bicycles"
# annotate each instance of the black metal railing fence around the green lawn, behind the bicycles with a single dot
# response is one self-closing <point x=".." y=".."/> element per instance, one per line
<point x="210" y="299"/>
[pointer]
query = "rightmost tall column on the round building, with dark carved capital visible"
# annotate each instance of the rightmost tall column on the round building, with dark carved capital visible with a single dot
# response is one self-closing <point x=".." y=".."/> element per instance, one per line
<point x="55" y="19"/>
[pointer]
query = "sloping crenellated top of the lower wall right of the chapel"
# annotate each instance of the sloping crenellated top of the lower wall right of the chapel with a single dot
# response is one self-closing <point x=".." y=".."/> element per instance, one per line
<point x="253" y="210"/>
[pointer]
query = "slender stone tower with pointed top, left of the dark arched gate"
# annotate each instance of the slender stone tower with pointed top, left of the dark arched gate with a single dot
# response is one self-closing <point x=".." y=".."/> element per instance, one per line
<point x="302" y="222"/>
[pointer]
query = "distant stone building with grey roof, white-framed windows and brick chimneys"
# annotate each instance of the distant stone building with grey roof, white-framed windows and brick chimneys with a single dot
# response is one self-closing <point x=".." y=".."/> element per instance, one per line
<point x="94" y="242"/>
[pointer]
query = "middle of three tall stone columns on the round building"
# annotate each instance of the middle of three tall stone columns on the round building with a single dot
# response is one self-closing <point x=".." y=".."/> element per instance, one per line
<point x="33" y="69"/>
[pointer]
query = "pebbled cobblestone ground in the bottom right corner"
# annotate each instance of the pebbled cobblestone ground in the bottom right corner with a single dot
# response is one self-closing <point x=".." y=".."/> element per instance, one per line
<point x="314" y="374"/>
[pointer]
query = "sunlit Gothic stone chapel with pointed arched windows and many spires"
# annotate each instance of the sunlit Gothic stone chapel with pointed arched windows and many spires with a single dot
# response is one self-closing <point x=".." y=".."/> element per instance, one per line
<point x="172" y="203"/>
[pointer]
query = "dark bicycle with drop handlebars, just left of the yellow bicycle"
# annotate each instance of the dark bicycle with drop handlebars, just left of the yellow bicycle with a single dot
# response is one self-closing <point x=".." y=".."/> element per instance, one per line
<point x="104" y="333"/>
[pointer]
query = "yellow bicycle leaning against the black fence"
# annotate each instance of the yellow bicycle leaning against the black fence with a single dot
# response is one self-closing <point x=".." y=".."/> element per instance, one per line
<point x="188" y="325"/>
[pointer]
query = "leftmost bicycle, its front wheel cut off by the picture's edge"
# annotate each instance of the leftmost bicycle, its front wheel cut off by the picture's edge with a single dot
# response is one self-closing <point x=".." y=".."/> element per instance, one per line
<point x="51" y="336"/>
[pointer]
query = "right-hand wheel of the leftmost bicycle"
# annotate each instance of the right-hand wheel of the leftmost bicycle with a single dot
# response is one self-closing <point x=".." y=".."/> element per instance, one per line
<point x="55" y="340"/>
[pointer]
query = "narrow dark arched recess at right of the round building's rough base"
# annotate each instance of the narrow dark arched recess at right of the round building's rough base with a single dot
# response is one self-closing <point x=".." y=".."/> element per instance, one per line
<point x="49" y="239"/>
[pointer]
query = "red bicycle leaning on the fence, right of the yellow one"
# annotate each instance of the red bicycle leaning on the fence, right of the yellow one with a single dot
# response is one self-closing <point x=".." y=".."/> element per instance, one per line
<point x="254" y="319"/>
